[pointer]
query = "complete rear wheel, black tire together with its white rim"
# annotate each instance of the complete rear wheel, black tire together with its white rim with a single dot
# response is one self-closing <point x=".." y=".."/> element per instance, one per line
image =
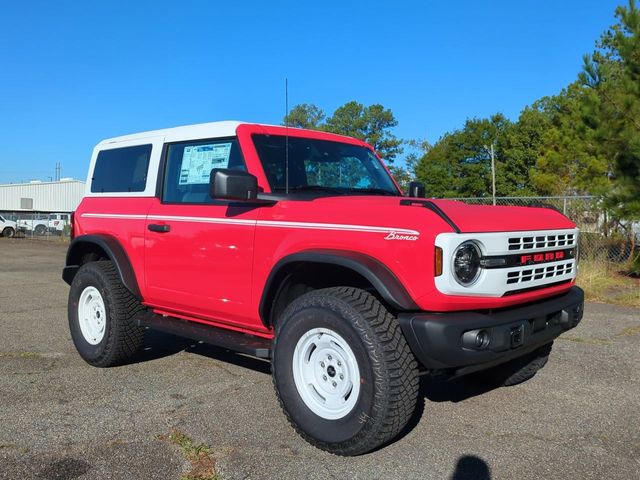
<point x="102" y="315"/>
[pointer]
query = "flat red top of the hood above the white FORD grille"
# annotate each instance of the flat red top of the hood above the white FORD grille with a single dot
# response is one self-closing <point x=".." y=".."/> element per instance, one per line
<point x="489" y="218"/>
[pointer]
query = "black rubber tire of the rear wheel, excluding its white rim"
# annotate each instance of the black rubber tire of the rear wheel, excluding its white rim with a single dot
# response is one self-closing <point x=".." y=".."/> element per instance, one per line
<point x="122" y="337"/>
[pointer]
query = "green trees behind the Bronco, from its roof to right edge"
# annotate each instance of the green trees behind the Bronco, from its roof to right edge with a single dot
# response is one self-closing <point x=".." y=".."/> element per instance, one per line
<point x="583" y="141"/>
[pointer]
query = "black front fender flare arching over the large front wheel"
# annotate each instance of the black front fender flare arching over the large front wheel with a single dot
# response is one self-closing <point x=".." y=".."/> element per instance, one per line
<point x="351" y="267"/>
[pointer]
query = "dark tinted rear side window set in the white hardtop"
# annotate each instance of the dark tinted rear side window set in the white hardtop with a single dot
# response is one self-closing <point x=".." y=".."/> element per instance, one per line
<point x="121" y="170"/>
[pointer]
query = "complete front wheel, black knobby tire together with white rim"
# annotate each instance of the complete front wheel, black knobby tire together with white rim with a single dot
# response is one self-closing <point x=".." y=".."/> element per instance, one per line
<point x="343" y="372"/>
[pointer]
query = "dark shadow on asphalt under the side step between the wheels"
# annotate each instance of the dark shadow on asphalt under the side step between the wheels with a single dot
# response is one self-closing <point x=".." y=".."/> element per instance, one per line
<point x="159" y="345"/>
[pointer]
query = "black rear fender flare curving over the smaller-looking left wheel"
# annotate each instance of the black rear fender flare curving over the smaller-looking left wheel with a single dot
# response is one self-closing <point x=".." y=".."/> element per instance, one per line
<point x="113" y="250"/>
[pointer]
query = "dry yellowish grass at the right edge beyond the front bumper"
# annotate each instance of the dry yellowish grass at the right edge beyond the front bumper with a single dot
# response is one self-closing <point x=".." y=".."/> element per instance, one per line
<point x="603" y="282"/>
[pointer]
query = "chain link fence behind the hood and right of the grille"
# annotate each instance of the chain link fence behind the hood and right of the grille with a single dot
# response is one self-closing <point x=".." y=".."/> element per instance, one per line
<point x="603" y="239"/>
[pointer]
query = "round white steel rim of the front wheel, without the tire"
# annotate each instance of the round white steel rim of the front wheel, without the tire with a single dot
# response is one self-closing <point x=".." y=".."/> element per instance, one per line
<point x="326" y="373"/>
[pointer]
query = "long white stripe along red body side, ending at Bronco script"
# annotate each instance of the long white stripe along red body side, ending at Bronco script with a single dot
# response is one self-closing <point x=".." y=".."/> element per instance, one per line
<point x="259" y="223"/>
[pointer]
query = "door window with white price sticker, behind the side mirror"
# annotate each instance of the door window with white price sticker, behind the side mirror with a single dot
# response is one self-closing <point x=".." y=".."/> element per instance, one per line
<point x="189" y="164"/>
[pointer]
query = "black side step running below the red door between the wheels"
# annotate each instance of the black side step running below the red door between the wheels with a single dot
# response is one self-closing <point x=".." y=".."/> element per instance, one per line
<point x="229" y="339"/>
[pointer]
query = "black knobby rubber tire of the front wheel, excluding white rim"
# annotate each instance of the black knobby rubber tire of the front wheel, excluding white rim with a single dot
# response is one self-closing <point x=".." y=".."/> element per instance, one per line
<point x="388" y="370"/>
